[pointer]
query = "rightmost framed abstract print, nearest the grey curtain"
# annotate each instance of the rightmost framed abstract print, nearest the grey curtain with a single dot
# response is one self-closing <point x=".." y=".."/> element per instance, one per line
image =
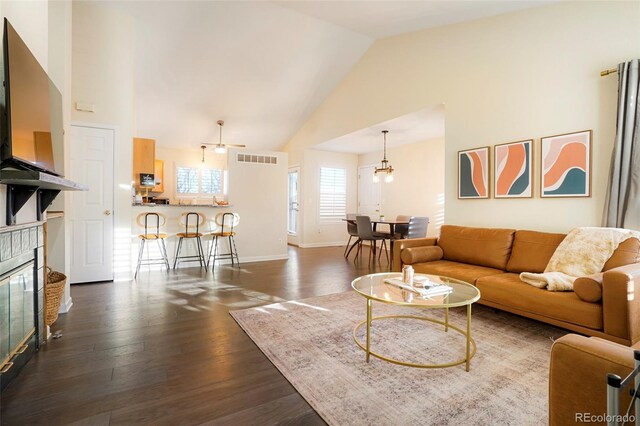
<point x="566" y="165"/>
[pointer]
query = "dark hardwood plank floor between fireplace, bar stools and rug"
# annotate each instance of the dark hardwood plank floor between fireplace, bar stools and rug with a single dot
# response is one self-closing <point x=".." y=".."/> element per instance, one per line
<point x="164" y="349"/>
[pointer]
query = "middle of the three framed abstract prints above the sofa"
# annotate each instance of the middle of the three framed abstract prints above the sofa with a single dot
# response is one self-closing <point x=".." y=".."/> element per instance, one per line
<point x="513" y="170"/>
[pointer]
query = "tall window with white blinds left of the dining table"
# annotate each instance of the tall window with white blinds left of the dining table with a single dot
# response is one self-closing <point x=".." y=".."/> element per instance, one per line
<point x="333" y="194"/>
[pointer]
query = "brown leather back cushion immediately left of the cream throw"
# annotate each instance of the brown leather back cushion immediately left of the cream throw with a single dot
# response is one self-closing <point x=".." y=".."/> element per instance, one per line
<point x="532" y="250"/>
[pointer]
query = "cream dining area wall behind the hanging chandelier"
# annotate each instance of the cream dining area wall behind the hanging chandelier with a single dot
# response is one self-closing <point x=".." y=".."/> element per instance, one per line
<point x="418" y="181"/>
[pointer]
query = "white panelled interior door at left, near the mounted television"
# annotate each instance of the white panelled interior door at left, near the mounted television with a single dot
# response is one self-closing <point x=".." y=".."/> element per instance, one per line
<point x="91" y="215"/>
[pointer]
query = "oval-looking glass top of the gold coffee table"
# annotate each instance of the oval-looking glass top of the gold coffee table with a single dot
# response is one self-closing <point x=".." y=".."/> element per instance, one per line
<point x="373" y="287"/>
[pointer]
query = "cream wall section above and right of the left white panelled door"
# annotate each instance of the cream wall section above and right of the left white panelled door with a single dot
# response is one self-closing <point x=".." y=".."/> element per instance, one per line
<point x="103" y="53"/>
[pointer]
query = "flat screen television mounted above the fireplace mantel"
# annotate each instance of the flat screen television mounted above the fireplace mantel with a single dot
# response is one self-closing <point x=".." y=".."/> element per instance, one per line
<point x="31" y="130"/>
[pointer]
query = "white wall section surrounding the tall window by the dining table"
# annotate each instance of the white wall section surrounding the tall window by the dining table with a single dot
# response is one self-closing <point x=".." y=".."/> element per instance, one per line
<point x="313" y="233"/>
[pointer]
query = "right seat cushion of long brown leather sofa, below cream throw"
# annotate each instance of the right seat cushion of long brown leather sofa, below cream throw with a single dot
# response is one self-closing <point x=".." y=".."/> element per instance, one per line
<point x="507" y="289"/>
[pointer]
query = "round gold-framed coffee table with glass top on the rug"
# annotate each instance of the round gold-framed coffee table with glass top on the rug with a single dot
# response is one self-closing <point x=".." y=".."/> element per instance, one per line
<point x="373" y="287"/>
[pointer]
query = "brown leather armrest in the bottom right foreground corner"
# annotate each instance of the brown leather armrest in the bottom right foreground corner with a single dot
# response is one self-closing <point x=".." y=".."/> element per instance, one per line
<point x="577" y="377"/>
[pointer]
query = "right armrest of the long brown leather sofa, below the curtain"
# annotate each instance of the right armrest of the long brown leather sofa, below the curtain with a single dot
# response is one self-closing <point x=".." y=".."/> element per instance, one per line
<point x="621" y="302"/>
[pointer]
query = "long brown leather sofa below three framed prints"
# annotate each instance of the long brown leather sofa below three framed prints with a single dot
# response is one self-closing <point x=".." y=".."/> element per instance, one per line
<point x="605" y="305"/>
